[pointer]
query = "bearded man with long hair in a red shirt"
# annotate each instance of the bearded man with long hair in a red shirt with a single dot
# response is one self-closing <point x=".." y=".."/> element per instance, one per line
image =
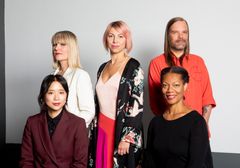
<point x="176" y="53"/>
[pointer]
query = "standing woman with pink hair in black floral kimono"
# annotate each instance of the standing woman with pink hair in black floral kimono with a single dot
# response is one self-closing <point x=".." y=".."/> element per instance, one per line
<point x="118" y="139"/>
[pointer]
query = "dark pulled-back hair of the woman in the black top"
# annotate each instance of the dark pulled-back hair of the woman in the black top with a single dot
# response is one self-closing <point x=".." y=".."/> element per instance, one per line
<point x="177" y="70"/>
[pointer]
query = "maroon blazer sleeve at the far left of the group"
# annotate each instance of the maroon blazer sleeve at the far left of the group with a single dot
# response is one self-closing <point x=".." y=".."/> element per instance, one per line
<point x="27" y="158"/>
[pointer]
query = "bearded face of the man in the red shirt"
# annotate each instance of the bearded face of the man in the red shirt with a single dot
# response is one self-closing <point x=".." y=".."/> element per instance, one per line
<point x="178" y="36"/>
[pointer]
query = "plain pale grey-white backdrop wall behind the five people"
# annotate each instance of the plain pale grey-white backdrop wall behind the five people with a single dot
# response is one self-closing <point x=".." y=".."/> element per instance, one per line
<point x="214" y="35"/>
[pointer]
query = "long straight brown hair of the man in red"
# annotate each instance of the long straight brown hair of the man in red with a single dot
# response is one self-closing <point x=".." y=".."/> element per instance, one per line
<point x="167" y="50"/>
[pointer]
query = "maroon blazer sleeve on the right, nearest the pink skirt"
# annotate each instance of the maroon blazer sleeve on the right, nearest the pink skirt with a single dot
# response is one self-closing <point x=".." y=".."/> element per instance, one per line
<point x="80" y="157"/>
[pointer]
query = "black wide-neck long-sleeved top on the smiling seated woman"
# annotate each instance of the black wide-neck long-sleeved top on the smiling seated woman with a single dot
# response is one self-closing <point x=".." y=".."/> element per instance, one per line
<point x="179" y="143"/>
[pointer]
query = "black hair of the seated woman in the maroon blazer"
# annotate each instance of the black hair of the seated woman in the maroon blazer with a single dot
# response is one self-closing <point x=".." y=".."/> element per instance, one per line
<point x="46" y="83"/>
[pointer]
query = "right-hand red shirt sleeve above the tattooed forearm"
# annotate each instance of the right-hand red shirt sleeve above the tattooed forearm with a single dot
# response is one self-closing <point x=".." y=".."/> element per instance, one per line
<point x="207" y="97"/>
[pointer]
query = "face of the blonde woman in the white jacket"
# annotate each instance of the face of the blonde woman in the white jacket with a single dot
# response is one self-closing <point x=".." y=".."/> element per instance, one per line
<point x="60" y="51"/>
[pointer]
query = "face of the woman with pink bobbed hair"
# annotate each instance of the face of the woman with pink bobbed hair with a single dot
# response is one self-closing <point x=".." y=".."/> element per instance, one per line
<point x="116" y="41"/>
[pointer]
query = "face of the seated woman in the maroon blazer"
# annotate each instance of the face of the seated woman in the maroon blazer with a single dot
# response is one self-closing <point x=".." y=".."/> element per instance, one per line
<point x="55" y="98"/>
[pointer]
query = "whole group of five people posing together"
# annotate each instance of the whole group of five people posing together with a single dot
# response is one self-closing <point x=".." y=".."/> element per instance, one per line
<point x="76" y="128"/>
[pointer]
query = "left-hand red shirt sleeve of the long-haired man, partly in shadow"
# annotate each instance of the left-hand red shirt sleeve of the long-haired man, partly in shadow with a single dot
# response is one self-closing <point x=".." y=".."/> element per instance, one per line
<point x="155" y="94"/>
